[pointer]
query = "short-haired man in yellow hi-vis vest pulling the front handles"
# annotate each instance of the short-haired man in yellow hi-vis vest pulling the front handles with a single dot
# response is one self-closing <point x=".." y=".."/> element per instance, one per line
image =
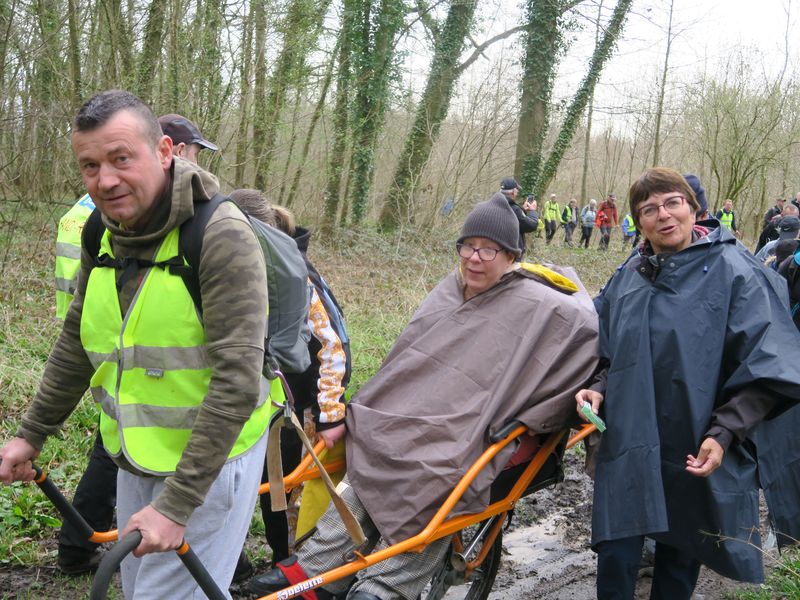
<point x="184" y="405"/>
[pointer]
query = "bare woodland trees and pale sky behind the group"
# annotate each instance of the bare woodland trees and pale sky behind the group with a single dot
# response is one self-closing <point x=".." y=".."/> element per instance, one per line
<point x="392" y="112"/>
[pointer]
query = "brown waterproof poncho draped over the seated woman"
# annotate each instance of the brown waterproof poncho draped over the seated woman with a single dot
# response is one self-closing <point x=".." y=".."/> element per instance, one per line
<point x="459" y="371"/>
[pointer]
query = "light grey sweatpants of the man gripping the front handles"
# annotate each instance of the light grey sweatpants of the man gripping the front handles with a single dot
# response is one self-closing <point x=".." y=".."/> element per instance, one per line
<point x="216" y="530"/>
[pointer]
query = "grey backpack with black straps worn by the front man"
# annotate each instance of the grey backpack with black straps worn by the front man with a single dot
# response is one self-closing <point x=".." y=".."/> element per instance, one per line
<point x="288" y="335"/>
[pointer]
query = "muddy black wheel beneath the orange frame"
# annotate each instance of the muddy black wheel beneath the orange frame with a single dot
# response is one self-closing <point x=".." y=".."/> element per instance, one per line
<point x="448" y="583"/>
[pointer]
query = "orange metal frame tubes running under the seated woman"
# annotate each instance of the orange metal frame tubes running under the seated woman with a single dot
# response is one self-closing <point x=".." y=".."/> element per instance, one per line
<point x="437" y="527"/>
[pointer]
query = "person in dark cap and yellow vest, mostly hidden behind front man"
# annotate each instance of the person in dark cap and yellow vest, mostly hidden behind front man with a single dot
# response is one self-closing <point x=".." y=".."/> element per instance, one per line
<point x="95" y="496"/>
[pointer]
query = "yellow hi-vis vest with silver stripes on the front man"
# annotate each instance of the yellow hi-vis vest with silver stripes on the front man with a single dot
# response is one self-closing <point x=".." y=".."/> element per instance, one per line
<point x="151" y="368"/>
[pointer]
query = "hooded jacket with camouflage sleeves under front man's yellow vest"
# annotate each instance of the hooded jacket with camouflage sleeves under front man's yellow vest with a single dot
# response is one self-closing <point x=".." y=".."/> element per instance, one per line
<point x="233" y="288"/>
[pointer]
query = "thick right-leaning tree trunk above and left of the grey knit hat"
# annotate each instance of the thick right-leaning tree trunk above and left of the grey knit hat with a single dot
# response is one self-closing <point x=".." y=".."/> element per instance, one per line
<point x="431" y="112"/>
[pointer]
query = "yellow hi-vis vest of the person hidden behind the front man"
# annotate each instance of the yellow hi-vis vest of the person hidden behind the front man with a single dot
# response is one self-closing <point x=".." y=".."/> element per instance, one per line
<point x="68" y="252"/>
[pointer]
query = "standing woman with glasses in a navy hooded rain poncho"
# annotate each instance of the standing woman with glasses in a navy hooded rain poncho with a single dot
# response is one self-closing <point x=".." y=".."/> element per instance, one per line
<point x="698" y="348"/>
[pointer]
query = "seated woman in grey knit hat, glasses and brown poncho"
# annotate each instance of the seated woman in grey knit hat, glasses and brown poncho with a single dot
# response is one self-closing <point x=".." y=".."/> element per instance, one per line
<point x="492" y="342"/>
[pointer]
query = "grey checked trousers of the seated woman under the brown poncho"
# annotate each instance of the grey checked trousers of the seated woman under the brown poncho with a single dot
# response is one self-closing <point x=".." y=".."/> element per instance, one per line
<point x="403" y="576"/>
